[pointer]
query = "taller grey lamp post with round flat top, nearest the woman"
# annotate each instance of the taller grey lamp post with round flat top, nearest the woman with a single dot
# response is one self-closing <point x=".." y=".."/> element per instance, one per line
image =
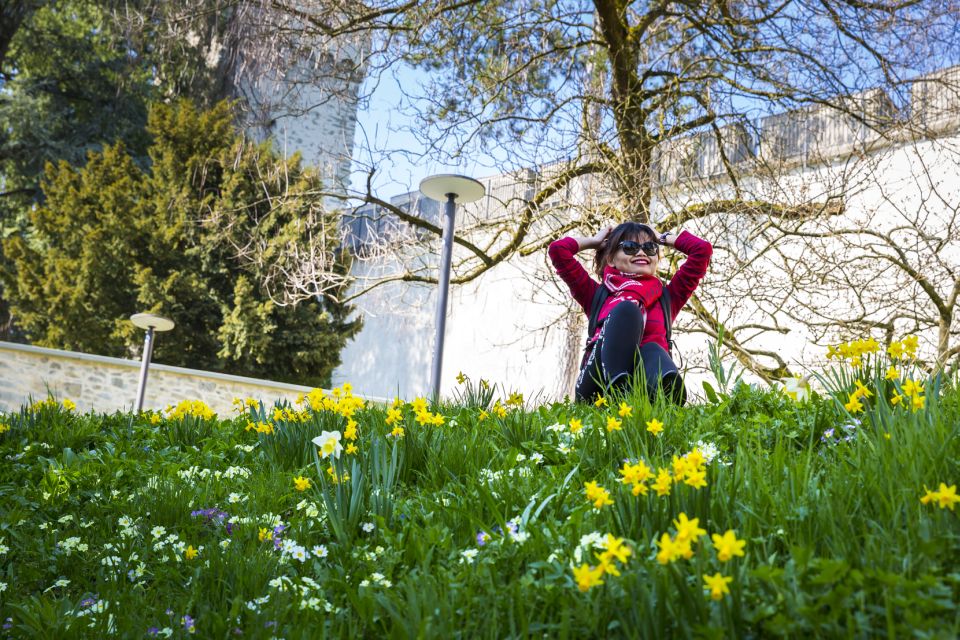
<point x="450" y="188"/>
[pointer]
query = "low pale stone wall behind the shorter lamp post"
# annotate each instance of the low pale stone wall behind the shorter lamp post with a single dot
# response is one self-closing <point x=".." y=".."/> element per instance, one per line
<point x="99" y="383"/>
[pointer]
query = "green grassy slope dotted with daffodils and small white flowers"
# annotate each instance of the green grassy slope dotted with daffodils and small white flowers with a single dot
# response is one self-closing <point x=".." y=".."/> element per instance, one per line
<point x="838" y="543"/>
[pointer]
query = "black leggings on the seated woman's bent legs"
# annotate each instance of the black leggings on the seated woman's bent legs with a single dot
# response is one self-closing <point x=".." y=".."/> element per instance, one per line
<point x="615" y="357"/>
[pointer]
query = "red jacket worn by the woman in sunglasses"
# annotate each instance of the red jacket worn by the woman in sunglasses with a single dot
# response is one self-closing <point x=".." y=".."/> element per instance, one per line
<point x="681" y="287"/>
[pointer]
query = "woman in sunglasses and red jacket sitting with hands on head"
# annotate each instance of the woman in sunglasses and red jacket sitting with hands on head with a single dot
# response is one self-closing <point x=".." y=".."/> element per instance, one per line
<point x="631" y="331"/>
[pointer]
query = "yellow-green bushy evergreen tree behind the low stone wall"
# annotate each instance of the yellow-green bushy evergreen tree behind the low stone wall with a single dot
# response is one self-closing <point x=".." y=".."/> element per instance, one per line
<point x="113" y="239"/>
